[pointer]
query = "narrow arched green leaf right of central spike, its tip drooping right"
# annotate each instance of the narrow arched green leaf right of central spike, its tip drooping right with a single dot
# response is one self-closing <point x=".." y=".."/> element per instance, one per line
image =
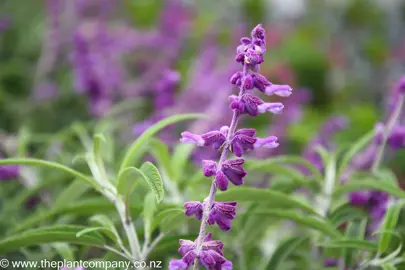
<point x="283" y="160"/>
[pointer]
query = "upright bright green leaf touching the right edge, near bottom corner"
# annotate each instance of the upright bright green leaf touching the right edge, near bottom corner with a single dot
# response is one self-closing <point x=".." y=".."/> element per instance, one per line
<point x="389" y="225"/>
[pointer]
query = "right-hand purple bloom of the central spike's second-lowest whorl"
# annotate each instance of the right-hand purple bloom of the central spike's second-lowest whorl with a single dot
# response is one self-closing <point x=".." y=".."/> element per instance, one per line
<point x="222" y="213"/>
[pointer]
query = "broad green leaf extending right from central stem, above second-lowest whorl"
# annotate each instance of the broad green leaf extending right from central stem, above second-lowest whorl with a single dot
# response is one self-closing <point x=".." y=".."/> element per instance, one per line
<point x="273" y="198"/>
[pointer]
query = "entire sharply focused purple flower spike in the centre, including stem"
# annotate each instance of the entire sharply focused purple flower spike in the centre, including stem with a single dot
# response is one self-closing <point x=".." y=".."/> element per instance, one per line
<point x="204" y="251"/>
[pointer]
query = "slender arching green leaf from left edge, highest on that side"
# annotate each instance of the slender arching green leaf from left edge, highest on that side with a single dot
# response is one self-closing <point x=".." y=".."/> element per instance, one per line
<point x="49" y="164"/>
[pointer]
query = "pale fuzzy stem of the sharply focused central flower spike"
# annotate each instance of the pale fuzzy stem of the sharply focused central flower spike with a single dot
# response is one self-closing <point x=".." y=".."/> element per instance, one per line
<point x="213" y="190"/>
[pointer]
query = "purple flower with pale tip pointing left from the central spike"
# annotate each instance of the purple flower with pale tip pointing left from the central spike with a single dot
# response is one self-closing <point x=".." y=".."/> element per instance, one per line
<point x="214" y="138"/>
